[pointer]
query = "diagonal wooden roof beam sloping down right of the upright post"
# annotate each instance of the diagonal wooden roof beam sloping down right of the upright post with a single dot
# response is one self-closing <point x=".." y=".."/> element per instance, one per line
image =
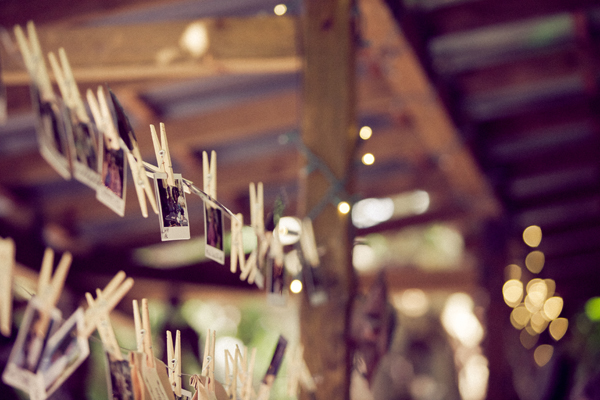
<point x="424" y="109"/>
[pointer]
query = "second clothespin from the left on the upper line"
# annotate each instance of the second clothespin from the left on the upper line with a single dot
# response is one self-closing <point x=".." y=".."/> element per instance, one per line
<point x="67" y="85"/>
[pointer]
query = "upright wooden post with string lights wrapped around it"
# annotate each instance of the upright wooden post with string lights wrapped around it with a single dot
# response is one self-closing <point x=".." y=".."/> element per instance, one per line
<point x="329" y="132"/>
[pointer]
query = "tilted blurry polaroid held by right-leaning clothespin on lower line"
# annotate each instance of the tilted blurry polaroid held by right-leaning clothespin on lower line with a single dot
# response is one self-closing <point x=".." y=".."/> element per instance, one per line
<point x="65" y="351"/>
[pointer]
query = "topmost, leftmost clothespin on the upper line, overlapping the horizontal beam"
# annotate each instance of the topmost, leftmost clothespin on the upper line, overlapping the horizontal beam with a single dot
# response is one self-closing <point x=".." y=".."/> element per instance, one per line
<point x="34" y="60"/>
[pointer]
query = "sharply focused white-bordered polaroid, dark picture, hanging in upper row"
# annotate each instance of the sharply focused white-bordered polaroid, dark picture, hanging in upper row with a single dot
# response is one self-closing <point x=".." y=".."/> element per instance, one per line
<point x="173" y="210"/>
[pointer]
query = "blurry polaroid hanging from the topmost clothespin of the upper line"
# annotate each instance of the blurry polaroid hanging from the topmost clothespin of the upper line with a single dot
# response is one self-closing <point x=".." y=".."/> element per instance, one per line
<point x="51" y="133"/>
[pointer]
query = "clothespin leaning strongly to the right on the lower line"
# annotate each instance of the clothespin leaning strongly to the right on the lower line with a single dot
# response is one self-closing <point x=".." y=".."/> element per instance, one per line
<point x="112" y="294"/>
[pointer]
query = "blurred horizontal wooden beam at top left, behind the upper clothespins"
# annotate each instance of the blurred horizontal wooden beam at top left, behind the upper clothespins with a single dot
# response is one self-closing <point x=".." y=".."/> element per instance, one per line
<point x="111" y="54"/>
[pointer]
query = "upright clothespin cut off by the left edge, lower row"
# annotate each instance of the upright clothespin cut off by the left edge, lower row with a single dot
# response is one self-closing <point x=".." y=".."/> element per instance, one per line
<point x="7" y="264"/>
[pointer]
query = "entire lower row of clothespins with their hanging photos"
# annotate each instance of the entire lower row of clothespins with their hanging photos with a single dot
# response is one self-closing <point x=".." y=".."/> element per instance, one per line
<point x="147" y="377"/>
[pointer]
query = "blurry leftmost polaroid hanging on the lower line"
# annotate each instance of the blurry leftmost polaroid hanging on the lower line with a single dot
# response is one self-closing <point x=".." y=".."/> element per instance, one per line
<point x="26" y="354"/>
